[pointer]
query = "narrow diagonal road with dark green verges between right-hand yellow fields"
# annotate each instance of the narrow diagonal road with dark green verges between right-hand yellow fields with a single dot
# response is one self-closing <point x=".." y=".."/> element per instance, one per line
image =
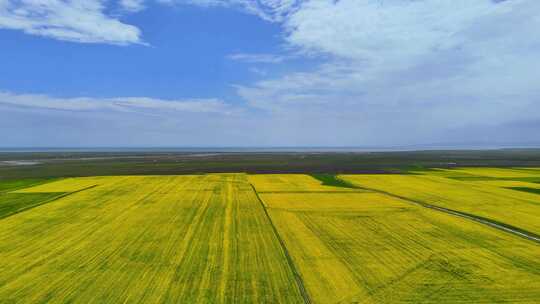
<point x="479" y="219"/>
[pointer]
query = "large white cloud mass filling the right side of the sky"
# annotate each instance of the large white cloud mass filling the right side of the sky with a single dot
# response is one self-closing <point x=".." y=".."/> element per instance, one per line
<point x="408" y="70"/>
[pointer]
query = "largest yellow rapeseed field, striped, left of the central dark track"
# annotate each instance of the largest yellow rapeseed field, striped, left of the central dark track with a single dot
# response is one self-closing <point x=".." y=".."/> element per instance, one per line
<point x="189" y="239"/>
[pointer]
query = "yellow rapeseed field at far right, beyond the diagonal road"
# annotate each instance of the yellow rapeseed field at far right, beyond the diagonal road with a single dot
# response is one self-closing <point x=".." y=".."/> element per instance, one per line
<point x="516" y="208"/>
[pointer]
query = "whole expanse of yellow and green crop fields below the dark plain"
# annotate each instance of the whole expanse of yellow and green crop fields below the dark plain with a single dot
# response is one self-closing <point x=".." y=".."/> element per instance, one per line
<point x="271" y="238"/>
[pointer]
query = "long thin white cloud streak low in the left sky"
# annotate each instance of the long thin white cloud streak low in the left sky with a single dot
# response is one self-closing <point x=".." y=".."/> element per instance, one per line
<point x="124" y="104"/>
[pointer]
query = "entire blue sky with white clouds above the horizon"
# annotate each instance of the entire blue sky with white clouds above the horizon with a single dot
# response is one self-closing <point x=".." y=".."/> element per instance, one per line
<point x="206" y="73"/>
